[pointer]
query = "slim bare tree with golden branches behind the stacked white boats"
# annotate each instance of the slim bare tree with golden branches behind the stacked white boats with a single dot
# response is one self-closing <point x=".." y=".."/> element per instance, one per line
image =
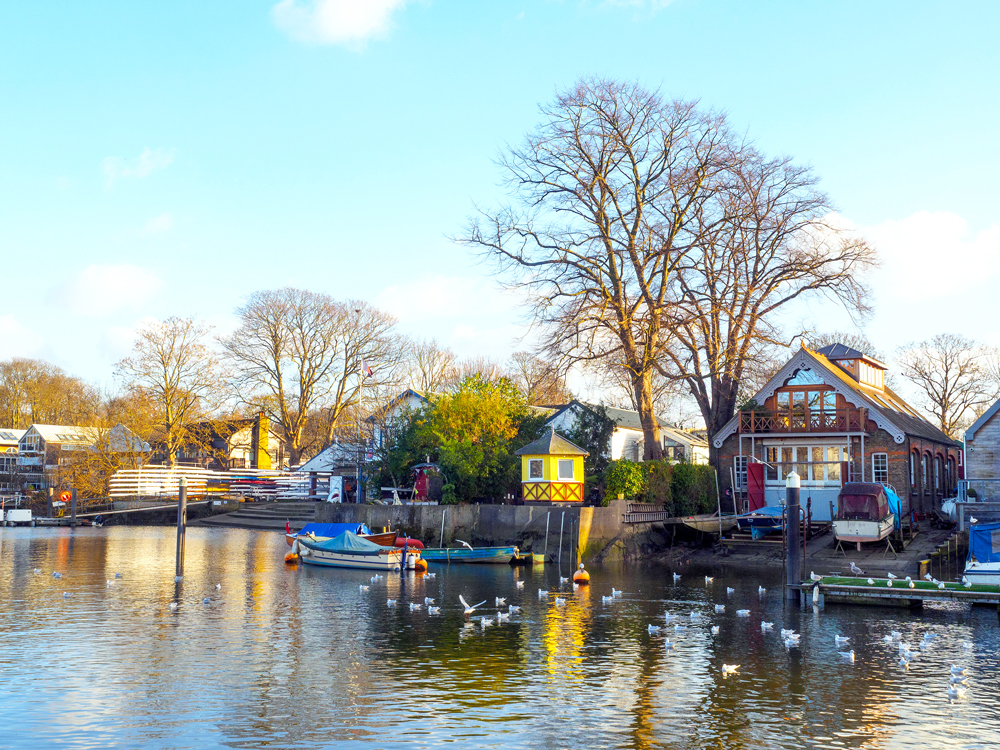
<point x="172" y="366"/>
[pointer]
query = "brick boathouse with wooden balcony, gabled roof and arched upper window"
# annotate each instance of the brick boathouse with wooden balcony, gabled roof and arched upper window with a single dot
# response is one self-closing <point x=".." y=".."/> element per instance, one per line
<point x="829" y="416"/>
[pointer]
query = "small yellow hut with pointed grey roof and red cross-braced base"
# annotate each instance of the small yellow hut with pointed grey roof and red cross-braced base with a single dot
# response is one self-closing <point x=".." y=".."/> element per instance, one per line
<point x="552" y="470"/>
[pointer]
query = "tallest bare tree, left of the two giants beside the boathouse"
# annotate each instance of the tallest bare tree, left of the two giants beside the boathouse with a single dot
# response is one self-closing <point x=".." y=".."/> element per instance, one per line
<point x="607" y="192"/>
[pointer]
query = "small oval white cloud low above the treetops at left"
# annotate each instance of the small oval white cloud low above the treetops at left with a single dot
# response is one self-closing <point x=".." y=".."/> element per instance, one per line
<point x="101" y="290"/>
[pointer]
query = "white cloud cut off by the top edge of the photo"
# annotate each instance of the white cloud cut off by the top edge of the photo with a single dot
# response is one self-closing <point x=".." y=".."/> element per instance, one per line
<point x="347" y="22"/>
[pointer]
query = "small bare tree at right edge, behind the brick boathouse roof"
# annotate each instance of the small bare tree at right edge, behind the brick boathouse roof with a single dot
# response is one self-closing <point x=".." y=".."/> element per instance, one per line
<point x="952" y="373"/>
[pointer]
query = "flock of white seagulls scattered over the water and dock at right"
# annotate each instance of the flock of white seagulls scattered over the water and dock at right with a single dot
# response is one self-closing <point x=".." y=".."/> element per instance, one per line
<point x="958" y="676"/>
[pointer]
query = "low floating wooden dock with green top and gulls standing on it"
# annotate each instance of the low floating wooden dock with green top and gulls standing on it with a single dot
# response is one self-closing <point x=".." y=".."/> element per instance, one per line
<point x="839" y="591"/>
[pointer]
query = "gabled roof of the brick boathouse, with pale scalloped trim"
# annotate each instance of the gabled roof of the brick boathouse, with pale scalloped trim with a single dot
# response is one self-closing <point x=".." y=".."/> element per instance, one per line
<point x="885" y="407"/>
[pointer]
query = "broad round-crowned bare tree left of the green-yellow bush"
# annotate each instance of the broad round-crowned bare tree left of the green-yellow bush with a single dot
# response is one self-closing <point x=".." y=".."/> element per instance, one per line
<point x="299" y="352"/>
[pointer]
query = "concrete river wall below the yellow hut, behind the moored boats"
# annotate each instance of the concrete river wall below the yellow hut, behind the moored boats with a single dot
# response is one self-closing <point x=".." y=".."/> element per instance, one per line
<point x="600" y="534"/>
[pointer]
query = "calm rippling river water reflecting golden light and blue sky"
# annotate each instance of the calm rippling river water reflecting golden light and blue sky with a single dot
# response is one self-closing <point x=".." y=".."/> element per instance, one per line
<point x="284" y="657"/>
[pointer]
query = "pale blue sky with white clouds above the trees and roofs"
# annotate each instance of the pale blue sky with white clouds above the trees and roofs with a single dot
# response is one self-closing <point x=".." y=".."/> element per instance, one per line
<point x="171" y="158"/>
